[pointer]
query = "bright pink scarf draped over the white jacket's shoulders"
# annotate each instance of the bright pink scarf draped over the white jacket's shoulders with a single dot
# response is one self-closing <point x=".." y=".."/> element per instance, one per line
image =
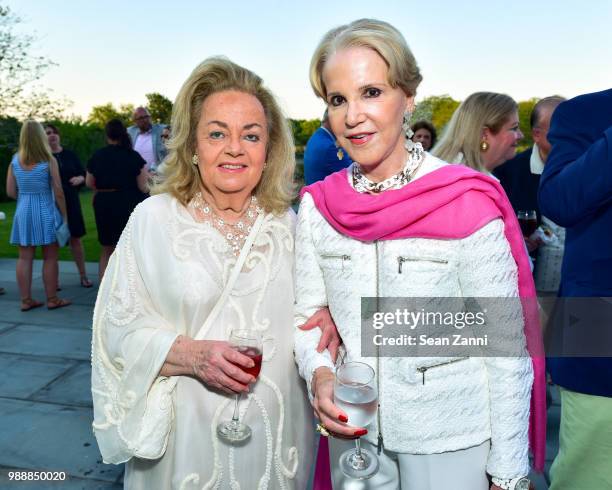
<point x="451" y="202"/>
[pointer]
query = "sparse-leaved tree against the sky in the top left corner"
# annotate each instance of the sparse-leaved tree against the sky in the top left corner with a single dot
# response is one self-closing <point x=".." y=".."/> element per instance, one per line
<point x="19" y="70"/>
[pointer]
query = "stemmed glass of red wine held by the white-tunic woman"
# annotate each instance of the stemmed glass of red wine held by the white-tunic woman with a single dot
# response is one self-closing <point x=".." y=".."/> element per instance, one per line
<point x="248" y="343"/>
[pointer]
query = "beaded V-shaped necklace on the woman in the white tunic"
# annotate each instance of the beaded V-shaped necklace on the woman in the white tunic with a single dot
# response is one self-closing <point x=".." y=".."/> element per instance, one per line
<point x="235" y="234"/>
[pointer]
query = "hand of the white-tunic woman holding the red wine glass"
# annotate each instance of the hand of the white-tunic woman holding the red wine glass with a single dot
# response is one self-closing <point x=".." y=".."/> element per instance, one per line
<point x="218" y="365"/>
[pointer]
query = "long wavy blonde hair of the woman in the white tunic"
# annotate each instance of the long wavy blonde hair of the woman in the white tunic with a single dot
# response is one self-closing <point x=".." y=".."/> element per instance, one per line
<point x="276" y="188"/>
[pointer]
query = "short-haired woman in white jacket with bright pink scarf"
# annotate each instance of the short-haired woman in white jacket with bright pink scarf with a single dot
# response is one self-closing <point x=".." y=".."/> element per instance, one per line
<point x="402" y="223"/>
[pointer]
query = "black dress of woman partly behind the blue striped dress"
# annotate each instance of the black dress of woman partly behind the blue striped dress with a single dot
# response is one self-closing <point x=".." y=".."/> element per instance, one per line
<point x="70" y="166"/>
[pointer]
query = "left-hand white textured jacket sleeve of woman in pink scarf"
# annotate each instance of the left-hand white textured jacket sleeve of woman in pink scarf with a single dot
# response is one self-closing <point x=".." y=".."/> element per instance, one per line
<point x="310" y="295"/>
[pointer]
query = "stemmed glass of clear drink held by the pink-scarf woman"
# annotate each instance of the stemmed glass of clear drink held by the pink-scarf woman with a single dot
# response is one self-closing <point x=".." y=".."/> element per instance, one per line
<point x="356" y="393"/>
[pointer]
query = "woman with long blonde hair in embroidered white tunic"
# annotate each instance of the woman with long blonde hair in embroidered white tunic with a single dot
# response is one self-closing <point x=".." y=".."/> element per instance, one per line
<point x="164" y="375"/>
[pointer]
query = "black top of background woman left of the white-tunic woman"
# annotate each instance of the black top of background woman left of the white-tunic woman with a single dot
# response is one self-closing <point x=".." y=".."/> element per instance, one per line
<point x="115" y="167"/>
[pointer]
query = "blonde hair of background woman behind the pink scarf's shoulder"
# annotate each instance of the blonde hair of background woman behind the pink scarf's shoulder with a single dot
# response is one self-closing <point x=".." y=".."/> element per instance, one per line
<point x="463" y="133"/>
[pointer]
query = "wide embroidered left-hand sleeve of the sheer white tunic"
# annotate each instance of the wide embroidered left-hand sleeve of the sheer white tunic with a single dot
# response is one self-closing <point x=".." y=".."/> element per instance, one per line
<point x="130" y="342"/>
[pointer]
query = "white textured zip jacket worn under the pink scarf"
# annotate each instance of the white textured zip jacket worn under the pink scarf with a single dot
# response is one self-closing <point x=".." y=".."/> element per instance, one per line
<point x="461" y="404"/>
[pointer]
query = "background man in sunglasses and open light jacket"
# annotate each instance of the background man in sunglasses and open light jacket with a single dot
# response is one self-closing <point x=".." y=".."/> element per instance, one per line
<point x="146" y="138"/>
